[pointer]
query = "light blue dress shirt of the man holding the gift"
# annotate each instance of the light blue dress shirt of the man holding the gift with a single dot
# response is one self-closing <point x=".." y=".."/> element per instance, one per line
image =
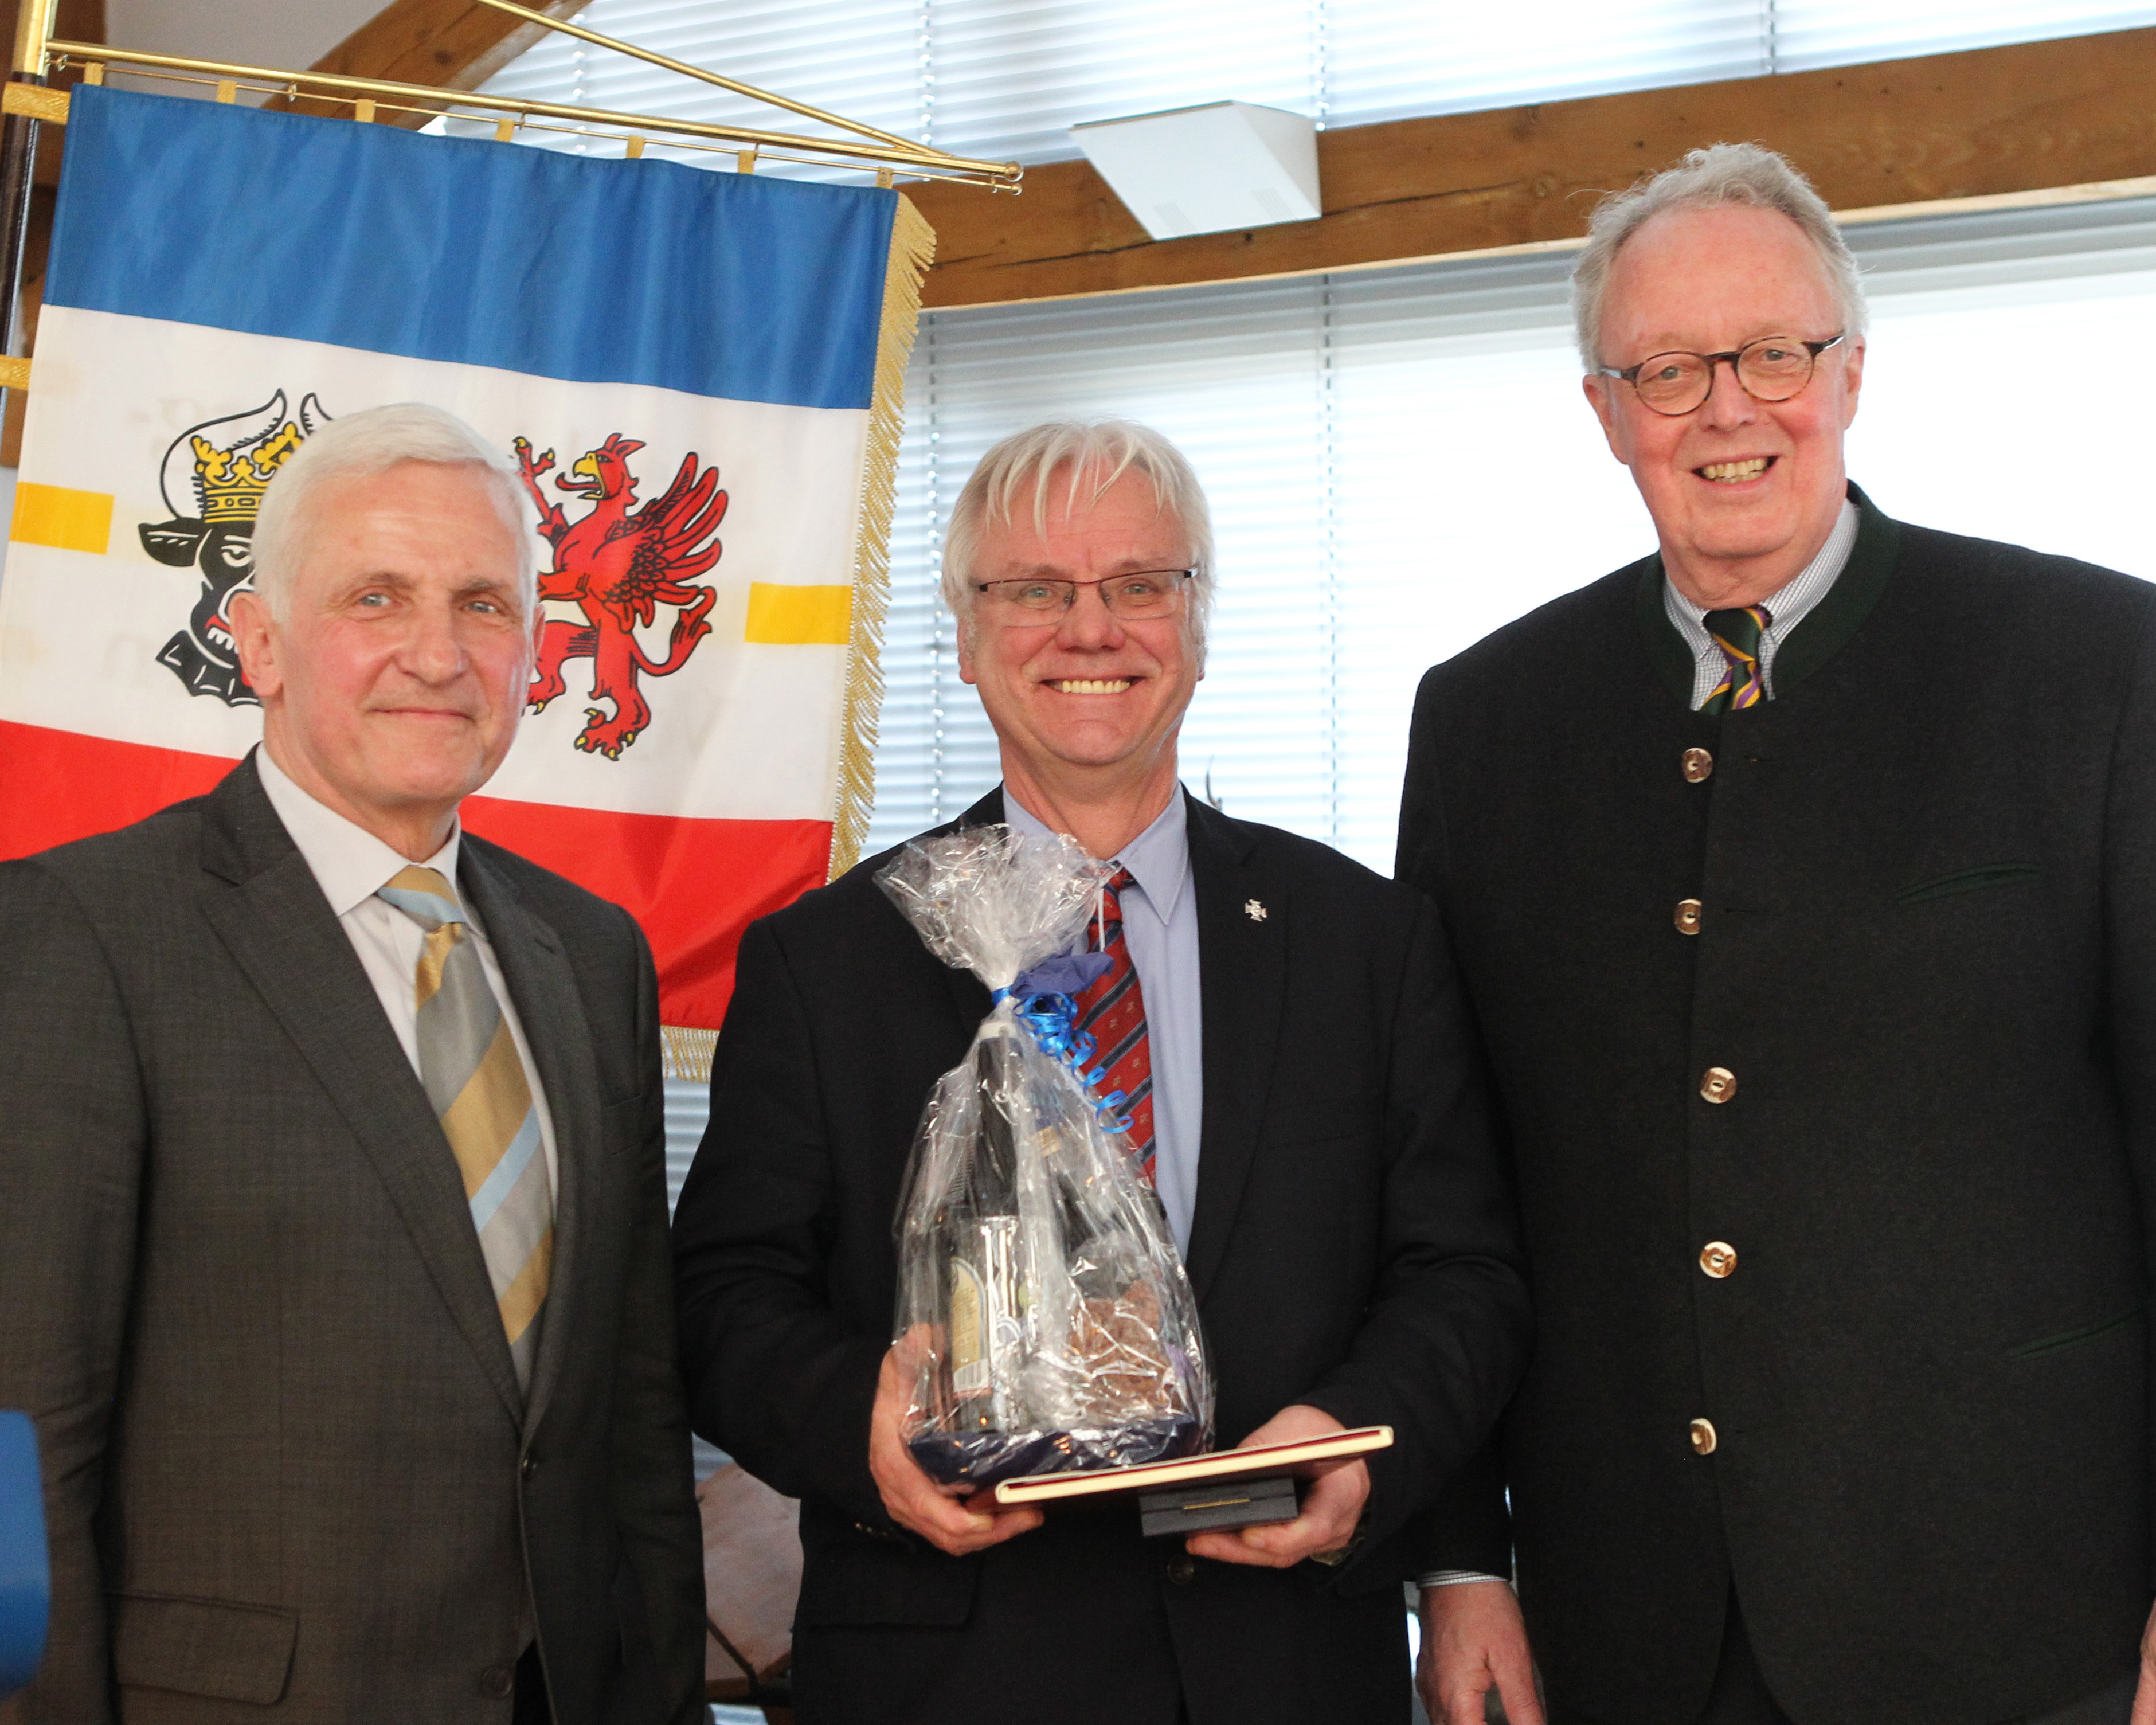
<point x="1161" y="926"/>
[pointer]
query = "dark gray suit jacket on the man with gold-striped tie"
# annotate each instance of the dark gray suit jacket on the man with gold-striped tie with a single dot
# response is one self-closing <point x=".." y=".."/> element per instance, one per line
<point x="288" y="1467"/>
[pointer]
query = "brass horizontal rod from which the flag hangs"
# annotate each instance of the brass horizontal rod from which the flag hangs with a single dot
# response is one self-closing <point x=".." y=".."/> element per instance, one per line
<point x="426" y="98"/>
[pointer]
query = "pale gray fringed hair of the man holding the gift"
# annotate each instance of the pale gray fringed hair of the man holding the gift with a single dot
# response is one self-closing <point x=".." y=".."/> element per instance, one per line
<point x="1096" y="454"/>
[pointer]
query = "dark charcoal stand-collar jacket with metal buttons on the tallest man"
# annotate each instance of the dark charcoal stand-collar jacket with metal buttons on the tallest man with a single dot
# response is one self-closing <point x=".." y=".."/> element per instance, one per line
<point x="1929" y="958"/>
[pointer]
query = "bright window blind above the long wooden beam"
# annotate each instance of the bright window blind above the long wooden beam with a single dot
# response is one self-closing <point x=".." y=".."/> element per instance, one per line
<point x="1008" y="79"/>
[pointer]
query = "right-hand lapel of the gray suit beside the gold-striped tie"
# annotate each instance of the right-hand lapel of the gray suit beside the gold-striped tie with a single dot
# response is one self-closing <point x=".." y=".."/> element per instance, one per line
<point x="553" y="1017"/>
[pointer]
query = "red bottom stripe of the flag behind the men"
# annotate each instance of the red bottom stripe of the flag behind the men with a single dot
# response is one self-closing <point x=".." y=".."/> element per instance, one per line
<point x="693" y="883"/>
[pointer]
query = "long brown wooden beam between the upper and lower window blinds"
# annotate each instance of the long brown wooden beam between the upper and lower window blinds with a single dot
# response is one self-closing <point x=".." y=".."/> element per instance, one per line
<point x="1898" y="133"/>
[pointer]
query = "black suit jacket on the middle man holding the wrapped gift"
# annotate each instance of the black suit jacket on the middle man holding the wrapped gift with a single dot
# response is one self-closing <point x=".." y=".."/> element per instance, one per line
<point x="1351" y="1250"/>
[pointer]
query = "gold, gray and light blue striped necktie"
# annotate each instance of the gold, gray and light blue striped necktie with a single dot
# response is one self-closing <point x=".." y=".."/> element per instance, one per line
<point x="475" y="1081"/>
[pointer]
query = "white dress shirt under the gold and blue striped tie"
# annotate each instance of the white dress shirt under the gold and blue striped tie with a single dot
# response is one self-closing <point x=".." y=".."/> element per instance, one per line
<point x="350" y="864"/>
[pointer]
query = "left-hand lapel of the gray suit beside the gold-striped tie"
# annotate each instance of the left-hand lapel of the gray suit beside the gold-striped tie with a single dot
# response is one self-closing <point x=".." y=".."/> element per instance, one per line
<point x="266" y="909"/>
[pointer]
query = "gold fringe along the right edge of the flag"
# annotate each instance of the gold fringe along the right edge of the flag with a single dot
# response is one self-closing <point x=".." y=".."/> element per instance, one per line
<point x="913" y="251"/>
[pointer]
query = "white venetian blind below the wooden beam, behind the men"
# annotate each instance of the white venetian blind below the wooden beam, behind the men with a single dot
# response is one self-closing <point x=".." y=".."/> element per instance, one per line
<point x="1402" y="463"/>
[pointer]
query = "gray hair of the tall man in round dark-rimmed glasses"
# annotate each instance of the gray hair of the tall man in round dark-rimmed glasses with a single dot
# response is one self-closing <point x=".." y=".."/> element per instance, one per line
<point x="1709" y="180"/>
